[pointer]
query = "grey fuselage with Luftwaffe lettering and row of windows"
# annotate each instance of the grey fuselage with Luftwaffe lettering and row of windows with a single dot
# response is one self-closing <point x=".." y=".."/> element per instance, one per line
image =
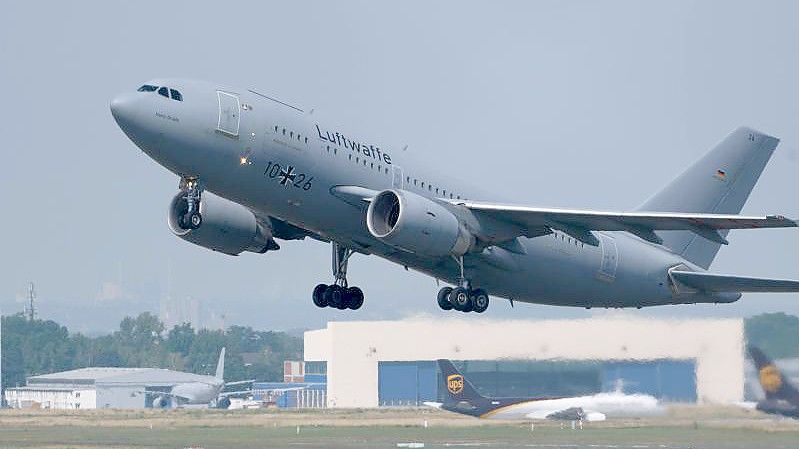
<point x="281" y="162"/>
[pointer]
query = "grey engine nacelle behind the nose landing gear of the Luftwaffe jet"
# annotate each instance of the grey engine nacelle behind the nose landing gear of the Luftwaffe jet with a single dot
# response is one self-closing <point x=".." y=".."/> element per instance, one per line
<point x="226" y="226"/>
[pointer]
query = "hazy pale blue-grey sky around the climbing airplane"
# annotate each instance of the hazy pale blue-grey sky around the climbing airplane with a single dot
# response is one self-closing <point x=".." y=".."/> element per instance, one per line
<point x="557" y="103"/>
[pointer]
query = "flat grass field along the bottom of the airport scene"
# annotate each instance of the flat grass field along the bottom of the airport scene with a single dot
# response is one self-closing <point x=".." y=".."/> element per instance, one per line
<point x="684" y="427"/>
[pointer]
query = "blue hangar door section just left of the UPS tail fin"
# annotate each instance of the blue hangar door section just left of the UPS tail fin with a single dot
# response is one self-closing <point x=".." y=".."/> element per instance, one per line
<point x="406" y="383"/>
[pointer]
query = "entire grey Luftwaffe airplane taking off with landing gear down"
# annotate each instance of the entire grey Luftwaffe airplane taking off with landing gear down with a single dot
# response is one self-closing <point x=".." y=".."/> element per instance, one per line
<point x="254" y="170"/>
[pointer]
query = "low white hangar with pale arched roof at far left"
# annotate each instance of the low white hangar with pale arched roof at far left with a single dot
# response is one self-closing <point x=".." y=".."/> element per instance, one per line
<point x="89" y="388"/>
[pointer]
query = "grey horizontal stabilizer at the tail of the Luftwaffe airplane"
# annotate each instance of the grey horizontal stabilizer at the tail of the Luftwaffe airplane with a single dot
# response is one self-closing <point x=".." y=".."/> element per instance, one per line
<point x="719" y="283"/>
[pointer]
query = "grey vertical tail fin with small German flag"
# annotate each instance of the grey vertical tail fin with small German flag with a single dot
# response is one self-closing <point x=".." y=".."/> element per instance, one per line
<point x="719" y="183"/>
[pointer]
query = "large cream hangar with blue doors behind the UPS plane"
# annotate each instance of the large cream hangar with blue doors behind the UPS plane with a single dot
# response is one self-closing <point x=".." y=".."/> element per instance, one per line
<point x="384" y="363"/>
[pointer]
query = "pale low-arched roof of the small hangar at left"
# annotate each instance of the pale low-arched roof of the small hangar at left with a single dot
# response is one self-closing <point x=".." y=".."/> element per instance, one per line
<point x="138" y="376"/>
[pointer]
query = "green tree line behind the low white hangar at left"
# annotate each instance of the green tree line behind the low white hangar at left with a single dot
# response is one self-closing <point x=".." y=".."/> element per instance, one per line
<point x="44" y="346"/>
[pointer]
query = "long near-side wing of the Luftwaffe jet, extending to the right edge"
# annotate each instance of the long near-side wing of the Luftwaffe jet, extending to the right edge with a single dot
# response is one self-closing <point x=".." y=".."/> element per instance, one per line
<point x="535" y="221"/>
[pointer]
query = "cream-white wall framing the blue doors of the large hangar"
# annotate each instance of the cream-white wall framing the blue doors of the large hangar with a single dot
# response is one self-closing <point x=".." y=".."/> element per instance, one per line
<point x="352" y="350"/>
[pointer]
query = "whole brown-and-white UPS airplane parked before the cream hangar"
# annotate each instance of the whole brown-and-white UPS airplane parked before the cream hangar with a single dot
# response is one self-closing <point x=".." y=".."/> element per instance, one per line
<point x="461" y="397"/>
